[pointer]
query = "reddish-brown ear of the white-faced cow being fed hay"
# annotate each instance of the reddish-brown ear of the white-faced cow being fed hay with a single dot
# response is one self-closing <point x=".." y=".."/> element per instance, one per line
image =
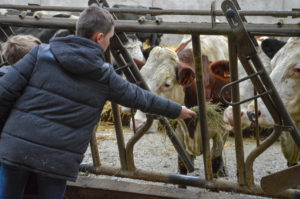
<point x="185" y="75"/>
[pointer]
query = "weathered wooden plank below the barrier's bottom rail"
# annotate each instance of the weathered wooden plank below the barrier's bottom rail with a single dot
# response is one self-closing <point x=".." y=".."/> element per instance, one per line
<point x="87" y="187"/>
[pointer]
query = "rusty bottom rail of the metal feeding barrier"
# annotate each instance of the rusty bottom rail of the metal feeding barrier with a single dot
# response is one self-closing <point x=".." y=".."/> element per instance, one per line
<point x="214" y="185"/>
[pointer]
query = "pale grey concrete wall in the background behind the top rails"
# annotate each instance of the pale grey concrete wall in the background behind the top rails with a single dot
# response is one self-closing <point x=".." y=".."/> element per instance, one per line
<point x="188" y="5"/>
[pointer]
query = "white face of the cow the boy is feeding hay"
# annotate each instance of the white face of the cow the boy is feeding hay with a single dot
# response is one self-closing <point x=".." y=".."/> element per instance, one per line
<point x="160" y="74"/>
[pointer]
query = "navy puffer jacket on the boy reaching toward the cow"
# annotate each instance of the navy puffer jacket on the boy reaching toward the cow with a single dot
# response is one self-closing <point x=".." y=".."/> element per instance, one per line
<point x="56" y="94"/>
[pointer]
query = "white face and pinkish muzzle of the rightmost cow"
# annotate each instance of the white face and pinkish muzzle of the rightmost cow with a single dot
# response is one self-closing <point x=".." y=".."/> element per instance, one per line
<point x="286" y="79"/>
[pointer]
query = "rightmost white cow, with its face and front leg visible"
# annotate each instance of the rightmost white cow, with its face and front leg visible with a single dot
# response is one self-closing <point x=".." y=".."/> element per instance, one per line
<point x="286" y="79"/>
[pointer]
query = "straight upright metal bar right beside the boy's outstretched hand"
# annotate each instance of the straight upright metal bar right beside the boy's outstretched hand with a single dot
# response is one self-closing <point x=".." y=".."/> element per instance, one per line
<point x="202" y="107"/>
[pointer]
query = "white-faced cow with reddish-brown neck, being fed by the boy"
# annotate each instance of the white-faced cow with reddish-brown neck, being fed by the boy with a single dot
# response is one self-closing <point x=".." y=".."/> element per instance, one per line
<point x="172" y="76"/>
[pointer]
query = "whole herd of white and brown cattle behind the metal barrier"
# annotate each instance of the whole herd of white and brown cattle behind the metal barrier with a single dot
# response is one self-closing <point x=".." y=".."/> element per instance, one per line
<point x="171" y="74"/>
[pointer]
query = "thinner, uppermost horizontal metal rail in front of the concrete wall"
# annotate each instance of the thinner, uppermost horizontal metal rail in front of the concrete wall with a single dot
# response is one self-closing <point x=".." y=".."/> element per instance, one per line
<point x="154" y="12"/>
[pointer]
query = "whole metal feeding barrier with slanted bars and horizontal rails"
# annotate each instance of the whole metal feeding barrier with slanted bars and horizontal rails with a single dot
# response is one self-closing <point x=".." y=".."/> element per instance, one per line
<point x="240" y="40"/>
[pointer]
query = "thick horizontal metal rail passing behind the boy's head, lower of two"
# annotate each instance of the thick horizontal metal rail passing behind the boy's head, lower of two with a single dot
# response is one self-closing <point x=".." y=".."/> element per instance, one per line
<point x="164" y="27"/>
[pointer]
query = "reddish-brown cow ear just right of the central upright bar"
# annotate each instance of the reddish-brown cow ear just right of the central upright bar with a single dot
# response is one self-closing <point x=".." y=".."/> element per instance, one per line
<point x="220" y="70"/>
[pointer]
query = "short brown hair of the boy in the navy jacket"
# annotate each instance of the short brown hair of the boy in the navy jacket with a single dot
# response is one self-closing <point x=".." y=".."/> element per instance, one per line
<point x="94" y="19"/>
